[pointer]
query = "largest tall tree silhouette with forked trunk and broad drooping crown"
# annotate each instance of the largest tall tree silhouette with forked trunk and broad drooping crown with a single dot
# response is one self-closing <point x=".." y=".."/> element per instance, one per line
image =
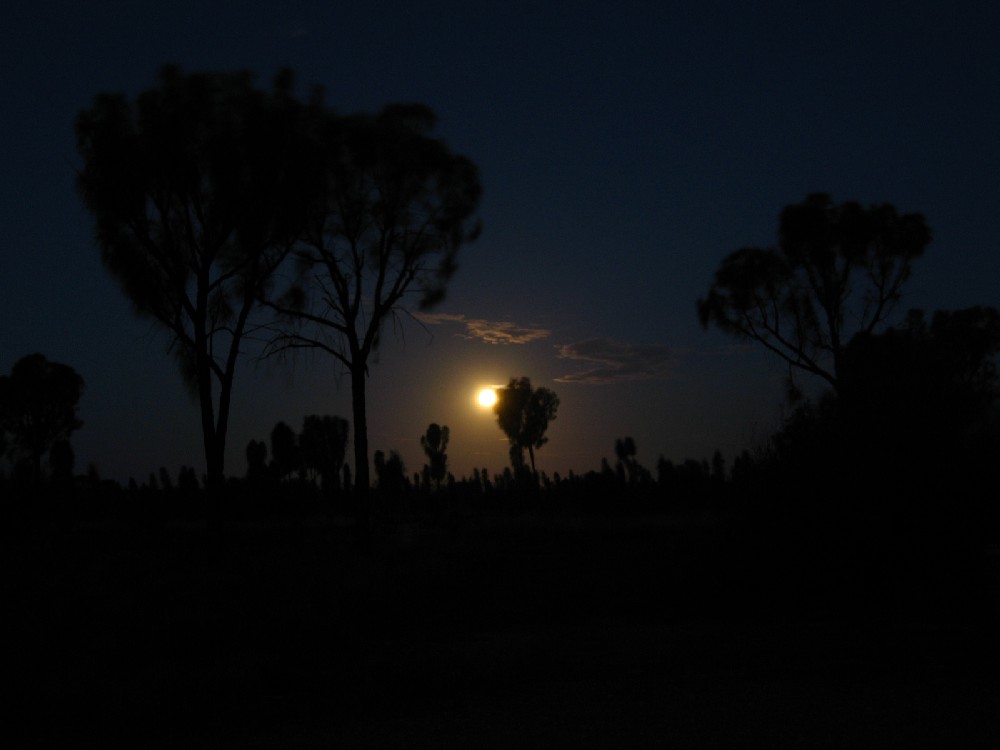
<point x="197" y="188"/>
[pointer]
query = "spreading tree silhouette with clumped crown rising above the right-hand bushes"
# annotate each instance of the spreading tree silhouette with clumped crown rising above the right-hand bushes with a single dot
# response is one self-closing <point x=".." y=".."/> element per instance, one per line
<point x="837" y="270"/>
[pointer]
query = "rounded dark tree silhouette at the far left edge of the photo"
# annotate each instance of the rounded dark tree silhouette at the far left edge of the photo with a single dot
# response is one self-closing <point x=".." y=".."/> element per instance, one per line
<point x="38" y="409"/>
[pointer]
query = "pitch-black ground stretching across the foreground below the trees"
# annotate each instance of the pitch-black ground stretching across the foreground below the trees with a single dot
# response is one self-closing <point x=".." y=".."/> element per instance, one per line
<point x="520" y="631"/>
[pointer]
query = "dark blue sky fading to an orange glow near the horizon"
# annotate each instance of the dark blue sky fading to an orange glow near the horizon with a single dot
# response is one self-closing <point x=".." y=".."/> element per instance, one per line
<point x="625" y="149"/>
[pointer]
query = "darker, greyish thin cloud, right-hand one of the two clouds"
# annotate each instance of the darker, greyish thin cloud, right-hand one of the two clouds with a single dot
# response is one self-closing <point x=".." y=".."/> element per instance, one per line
<point x="609" y="361"/>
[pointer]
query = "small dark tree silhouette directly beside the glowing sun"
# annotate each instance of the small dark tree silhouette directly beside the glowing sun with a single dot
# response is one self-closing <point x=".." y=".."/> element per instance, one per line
<point x="523" y="414"/>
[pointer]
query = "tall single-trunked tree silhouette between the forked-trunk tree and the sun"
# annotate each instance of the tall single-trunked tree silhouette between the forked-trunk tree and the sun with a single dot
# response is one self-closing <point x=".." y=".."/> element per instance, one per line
<point x="396" y="206"/>
